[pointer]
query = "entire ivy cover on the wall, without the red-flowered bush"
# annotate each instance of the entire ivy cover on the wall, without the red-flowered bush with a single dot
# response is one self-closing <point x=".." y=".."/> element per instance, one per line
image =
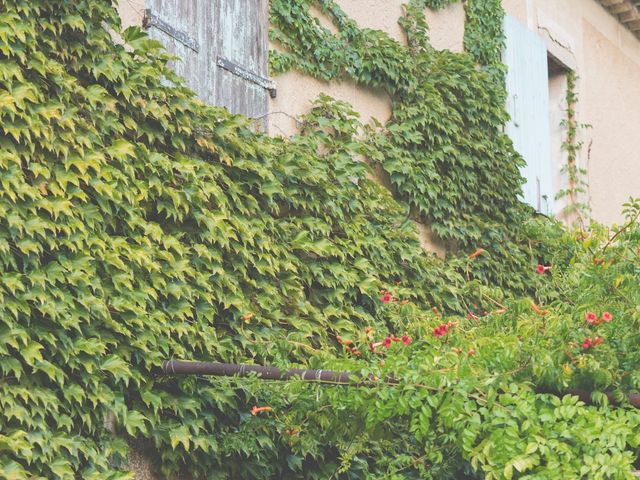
<point x="139" y="225"/>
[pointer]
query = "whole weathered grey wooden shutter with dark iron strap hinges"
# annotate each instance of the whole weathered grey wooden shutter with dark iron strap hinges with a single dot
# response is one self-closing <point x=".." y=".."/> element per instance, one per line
<point x="223" y="47"/>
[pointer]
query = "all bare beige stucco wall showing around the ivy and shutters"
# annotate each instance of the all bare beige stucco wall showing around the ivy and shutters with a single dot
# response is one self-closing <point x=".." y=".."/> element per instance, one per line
<point x="580" y="33"/>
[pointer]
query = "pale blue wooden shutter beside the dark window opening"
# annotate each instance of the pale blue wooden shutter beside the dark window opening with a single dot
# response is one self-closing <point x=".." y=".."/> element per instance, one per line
<point x="528" y="104"/>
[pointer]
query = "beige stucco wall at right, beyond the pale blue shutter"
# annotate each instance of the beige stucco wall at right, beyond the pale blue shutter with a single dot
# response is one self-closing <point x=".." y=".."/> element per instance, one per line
<point x="606" y="57"/>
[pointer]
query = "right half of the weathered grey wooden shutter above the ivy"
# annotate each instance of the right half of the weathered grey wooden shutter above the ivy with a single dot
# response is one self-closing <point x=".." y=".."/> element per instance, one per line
<point x="242" y="29"/>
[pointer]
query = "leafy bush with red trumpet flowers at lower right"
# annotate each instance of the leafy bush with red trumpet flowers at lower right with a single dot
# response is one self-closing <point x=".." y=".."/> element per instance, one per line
<point x="501" y="393"/>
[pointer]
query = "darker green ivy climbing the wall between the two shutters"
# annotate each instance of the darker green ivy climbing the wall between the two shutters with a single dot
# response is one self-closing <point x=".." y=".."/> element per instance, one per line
<point x="443" y="151"/>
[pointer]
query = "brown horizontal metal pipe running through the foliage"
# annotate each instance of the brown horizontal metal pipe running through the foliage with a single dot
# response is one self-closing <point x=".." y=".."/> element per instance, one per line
<point x="179" y="367"/>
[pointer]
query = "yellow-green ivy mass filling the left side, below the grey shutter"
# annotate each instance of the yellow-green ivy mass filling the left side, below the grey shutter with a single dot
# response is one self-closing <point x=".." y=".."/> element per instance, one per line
<point x="137" y="225"/>
